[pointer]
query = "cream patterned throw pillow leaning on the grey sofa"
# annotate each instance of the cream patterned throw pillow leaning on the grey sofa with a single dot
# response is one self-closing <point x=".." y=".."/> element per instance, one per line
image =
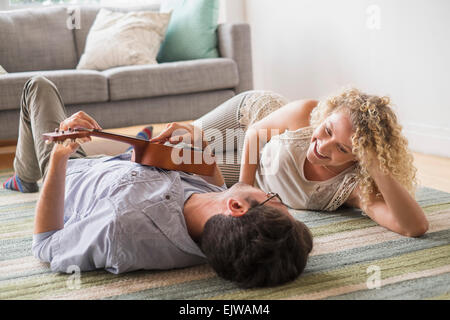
<point x="124" y="38"/>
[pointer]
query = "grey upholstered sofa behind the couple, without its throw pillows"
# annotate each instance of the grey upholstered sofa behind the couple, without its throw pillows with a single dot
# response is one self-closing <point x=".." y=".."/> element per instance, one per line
<point x="39" y="42"/>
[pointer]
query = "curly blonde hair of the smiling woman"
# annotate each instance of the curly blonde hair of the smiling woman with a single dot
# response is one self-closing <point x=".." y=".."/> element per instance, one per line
<point x="376" y="131"/>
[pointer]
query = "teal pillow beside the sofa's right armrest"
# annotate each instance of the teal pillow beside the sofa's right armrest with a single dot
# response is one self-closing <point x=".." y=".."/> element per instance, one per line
<point x="191" y="33"/>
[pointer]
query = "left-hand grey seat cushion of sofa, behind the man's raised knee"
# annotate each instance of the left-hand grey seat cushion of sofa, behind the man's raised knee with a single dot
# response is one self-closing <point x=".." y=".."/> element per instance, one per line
<point x="75" y="86"/>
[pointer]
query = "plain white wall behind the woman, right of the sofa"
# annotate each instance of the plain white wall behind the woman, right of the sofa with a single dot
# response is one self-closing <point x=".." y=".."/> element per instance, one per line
<point x="399" y="48"/>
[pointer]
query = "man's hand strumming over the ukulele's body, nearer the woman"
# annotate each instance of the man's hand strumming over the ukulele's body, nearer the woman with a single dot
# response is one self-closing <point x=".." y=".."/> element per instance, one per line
<point x="176" y="132"/>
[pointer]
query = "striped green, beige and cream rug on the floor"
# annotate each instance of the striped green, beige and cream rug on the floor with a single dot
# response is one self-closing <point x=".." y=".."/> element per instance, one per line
<point x="353" y="258"/>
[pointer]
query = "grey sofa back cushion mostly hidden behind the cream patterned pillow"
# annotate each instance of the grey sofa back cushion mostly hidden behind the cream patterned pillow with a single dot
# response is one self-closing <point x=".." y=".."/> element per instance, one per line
<point x="87" y="15"/>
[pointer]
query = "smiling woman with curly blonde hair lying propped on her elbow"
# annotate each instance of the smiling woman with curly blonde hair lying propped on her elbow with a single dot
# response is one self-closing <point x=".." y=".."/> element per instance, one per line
<point x="347" y="149"/>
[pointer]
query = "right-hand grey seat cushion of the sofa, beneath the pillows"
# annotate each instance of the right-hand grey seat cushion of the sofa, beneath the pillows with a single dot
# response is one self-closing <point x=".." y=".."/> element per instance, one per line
<point x="145" y="81"/>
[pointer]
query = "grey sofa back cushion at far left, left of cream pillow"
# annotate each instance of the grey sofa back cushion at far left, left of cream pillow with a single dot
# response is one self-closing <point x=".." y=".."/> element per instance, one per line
<point x="36" y="39"/>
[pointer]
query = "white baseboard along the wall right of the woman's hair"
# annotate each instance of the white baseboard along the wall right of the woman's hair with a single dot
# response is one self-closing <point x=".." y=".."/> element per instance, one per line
<point x="428" y="139"/>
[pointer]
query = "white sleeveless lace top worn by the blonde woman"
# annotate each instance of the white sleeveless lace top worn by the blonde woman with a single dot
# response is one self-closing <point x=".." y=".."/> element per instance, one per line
<point x="281" y="170"/>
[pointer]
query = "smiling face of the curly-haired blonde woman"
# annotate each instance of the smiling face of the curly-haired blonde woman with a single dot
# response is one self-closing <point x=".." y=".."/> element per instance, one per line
<point x="331" y="143"/>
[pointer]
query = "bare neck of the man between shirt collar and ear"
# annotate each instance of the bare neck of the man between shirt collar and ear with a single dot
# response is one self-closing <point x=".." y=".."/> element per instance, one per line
<point x="198" y="209"/>
